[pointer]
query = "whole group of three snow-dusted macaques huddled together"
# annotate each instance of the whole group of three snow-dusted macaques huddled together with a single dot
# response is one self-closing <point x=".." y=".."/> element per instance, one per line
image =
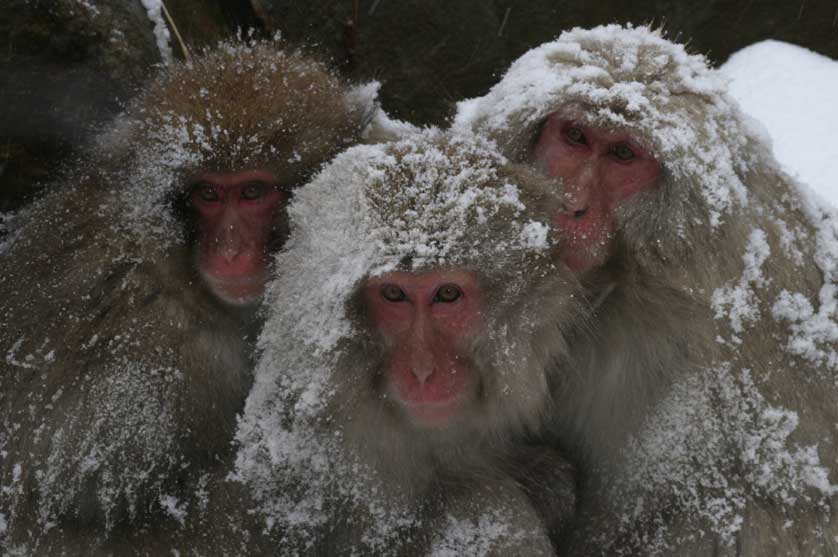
<point x="260" y="317"/>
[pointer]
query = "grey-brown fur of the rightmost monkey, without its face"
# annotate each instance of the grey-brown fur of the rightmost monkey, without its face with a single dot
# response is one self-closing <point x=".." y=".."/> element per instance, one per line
<point x="653" y="329"/>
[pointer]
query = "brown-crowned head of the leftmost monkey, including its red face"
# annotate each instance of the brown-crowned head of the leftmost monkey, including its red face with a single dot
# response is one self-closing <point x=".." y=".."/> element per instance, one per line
<point x="225" y="138"/>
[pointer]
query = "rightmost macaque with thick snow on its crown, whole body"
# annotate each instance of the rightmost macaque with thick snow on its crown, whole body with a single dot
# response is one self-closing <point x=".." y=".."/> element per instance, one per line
<point x="698" y="396"/>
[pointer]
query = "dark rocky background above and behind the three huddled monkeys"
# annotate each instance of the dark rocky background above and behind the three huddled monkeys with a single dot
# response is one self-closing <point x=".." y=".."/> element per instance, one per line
<point x="66" y="67"/>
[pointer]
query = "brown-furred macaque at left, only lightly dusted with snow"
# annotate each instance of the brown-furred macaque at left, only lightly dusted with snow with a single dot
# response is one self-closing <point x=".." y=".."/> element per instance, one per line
<point x="128" y="299"/>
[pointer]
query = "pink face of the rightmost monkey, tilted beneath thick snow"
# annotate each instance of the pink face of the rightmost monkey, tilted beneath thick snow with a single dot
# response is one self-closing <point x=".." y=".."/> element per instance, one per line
<point x="600" y="168"/>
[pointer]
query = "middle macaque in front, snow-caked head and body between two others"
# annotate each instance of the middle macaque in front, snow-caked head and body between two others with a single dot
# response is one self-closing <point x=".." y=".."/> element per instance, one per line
<point x="399" y="374"/>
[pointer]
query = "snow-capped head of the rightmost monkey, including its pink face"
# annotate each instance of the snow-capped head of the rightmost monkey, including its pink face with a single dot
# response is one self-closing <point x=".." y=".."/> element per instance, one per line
<point x="640" y="137"/>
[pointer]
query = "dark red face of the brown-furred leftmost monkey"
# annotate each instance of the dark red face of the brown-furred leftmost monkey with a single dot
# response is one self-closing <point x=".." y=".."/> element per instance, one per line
<point x="235" y="215"/>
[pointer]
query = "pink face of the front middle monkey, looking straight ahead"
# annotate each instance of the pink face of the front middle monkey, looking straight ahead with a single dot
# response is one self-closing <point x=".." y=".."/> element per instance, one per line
<point x="426" y="321"/>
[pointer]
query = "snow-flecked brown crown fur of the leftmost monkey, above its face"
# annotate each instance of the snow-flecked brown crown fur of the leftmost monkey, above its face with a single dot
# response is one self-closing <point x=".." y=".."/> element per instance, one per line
<point x="243" y="105"/>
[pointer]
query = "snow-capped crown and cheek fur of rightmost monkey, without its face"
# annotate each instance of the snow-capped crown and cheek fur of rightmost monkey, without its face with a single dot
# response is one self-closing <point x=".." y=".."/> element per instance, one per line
<point x="631" y="79"/>
